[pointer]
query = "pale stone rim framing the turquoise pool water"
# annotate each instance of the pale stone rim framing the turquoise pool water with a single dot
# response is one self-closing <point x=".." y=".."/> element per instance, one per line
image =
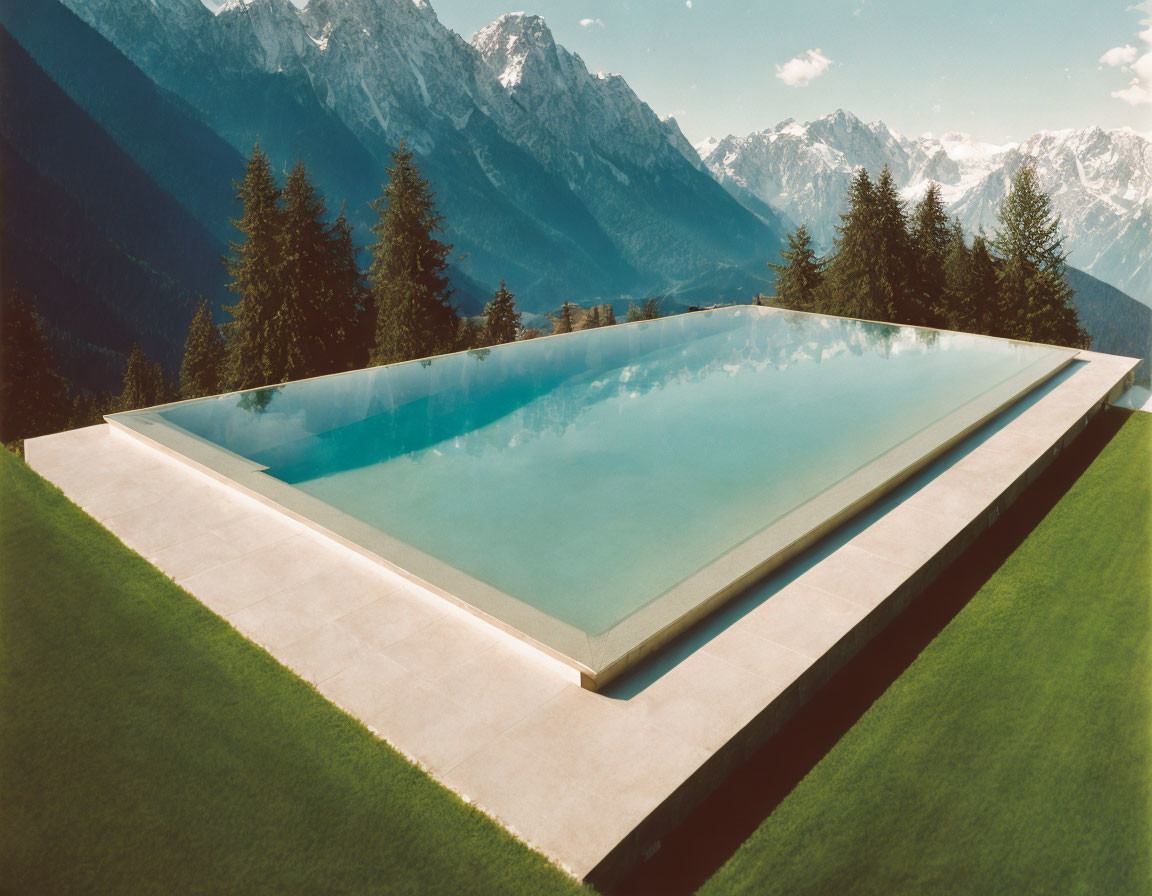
<point x="597" y="660"/>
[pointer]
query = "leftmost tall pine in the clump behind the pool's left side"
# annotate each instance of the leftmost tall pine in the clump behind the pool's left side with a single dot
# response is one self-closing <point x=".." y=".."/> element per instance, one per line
<point x="255" y="267"/>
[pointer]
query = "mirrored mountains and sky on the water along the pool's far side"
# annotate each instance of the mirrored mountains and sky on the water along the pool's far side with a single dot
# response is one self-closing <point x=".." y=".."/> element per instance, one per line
<point x="499" y="400"/>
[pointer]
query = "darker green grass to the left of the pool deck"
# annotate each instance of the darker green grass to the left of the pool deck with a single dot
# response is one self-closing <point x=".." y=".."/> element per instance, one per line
<point x="146" y="747"/>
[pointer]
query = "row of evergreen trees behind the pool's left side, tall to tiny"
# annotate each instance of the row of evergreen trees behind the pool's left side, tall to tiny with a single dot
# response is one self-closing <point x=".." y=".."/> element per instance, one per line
<point x="305" y="308"/>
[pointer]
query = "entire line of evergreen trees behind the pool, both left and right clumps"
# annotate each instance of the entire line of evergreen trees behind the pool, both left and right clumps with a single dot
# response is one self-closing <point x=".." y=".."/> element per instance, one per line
<point x="305" y="308"/>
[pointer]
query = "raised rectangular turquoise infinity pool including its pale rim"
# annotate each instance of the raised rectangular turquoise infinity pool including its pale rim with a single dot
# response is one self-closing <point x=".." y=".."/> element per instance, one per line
<point x="593" y="492"/>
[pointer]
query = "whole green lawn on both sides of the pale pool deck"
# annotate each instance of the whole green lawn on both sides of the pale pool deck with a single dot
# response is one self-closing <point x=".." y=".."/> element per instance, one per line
<point x="146" y="747"/>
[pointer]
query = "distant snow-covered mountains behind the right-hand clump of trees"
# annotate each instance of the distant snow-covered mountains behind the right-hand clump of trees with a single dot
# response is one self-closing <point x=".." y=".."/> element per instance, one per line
<point x="1101" y="183"/>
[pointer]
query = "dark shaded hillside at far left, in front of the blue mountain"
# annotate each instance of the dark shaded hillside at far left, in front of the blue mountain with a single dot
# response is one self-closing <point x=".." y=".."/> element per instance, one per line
<point x="109" y="256"/>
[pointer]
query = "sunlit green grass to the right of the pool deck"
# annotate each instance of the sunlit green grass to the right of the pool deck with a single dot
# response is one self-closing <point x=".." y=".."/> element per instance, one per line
<point x="1015" y="755"/>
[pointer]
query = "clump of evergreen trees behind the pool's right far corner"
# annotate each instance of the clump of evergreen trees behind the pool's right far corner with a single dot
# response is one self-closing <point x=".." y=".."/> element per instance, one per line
<point x="919" y="269"/>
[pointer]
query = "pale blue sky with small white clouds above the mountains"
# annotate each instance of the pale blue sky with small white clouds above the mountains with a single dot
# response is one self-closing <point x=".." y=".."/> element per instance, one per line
<point x="999" y="71"/>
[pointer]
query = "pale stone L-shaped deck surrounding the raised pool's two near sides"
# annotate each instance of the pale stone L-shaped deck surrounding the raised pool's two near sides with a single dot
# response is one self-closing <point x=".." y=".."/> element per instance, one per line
<point x="592" y="780"/>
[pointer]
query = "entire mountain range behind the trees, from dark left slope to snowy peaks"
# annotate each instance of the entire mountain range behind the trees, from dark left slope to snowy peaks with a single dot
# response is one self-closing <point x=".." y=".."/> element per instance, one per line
<point x="132" y="120"/>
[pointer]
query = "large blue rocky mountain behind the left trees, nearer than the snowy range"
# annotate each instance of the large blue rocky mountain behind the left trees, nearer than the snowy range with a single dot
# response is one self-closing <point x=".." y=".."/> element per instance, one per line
<point x="563" y="181"/>
